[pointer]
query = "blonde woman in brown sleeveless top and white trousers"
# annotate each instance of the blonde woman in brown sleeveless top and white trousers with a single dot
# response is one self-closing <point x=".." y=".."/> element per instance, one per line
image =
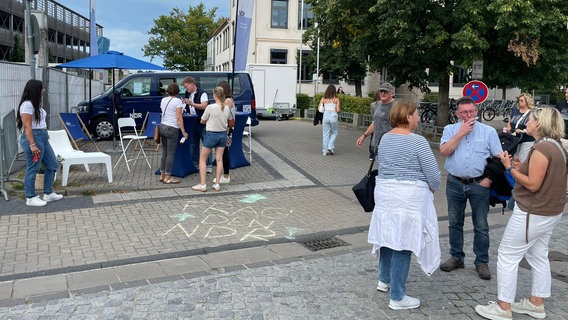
<point x="540" y="189"/>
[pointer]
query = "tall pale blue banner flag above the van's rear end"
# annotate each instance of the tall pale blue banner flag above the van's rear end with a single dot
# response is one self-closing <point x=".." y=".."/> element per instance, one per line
<point x="243" y="23"/>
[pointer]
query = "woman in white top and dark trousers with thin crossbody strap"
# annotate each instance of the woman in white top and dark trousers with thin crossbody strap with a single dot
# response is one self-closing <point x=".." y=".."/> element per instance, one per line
<point x="171" y="124"/>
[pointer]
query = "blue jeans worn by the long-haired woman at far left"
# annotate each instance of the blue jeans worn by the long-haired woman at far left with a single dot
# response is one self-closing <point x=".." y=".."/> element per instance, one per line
<point x="46" y="156"/>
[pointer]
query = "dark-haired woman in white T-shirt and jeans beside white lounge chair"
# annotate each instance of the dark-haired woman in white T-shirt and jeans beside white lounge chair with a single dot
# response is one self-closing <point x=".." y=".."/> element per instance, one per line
<point x="31" y="117"/>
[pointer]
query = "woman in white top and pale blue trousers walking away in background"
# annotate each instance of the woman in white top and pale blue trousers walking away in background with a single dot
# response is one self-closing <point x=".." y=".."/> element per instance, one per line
<point x="330" y="128"/>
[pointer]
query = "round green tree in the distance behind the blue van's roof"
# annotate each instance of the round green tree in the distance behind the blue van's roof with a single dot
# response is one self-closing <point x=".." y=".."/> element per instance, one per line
<point x="180" y="39"/>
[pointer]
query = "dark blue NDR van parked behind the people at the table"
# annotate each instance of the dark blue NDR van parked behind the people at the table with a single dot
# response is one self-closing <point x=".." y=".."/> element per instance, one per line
<point x="140" y="93"/>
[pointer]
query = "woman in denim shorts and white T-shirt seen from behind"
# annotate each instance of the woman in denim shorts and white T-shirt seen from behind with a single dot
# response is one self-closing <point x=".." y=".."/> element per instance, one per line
<point x="217" y="118"/>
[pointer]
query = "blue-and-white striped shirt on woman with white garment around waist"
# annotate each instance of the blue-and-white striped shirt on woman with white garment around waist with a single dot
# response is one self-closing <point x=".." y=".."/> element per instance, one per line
<point x="408" y="157"/>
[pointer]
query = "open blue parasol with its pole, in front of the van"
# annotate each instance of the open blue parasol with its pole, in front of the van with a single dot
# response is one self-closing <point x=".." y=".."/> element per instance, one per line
<point x="111" y="60"/>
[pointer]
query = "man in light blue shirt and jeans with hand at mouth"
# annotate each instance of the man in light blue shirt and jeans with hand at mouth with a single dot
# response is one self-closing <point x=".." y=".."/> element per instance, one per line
<point x="466" y="145"/>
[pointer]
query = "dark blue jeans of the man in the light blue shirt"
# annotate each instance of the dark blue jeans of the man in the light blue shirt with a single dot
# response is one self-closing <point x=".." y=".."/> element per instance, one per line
<point x="457" y="195"/>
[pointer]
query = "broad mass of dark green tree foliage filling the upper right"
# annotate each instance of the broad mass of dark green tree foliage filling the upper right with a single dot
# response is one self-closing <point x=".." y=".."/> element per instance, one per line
<point x="522" y="42"/>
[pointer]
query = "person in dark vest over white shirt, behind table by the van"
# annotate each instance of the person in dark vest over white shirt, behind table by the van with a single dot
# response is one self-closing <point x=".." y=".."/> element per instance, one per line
<point x="196" y="100"/>
